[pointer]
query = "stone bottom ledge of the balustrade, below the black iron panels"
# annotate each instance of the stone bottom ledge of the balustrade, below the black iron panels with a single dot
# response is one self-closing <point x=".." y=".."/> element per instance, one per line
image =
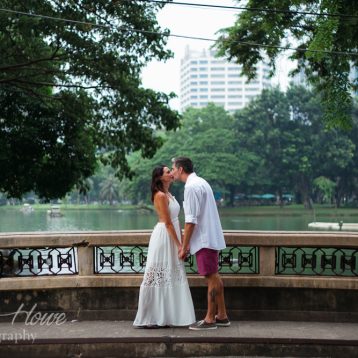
<point x="118" y="280"/>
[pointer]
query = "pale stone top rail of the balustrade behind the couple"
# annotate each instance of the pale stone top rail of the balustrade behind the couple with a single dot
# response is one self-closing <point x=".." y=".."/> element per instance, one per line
<point x="141" y="237"/>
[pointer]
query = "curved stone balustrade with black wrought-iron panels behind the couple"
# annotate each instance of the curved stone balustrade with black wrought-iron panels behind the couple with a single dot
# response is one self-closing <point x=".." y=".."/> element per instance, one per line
<point x="252" y="259"/>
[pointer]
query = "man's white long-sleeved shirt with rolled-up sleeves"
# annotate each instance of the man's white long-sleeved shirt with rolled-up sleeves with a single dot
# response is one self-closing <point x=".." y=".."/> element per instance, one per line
<point x="200" y="209"/>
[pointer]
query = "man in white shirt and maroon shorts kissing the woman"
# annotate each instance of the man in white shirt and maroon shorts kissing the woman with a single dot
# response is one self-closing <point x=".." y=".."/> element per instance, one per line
<point x="203" y="234"/>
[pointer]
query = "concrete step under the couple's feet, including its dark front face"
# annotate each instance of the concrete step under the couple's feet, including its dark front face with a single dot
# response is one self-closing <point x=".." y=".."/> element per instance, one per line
<point x="245" y="338"/>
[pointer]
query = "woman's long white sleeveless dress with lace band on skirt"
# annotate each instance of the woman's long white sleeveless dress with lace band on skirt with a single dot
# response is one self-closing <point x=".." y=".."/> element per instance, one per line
<point x="164" y="296"/>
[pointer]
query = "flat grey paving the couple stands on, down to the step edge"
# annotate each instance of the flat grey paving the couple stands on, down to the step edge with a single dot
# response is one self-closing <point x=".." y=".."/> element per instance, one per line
<point x="124" y="331"/>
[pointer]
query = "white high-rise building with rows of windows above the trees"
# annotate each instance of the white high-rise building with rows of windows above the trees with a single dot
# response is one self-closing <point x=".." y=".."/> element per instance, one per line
<point x="205" y="78"/>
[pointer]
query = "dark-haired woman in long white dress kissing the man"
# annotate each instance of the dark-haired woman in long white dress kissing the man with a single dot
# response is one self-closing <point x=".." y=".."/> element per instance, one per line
<point x="164" y="297"/>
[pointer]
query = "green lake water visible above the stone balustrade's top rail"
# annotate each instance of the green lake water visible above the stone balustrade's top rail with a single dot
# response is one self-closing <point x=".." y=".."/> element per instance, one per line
<point x="13" y="220"/>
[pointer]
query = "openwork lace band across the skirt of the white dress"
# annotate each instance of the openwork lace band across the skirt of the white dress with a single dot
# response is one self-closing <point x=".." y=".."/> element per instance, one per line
<point x="161" y="276"/>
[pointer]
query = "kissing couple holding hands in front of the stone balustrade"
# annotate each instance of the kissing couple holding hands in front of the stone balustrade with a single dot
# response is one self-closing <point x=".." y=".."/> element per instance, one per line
<point x="164" y="296"/>
